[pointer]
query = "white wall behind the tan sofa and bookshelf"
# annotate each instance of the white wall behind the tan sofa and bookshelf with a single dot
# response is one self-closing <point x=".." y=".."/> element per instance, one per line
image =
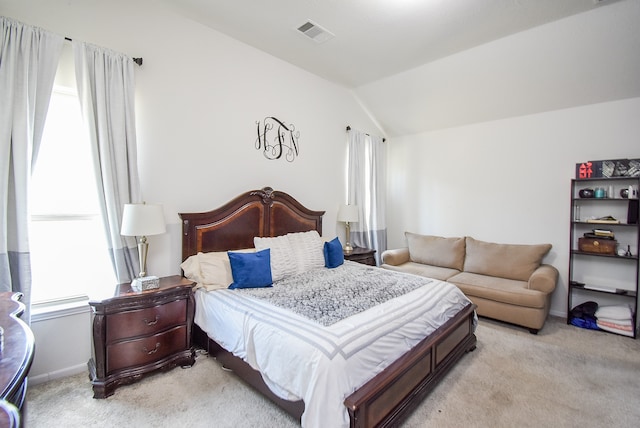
<point x="505" y="181"/>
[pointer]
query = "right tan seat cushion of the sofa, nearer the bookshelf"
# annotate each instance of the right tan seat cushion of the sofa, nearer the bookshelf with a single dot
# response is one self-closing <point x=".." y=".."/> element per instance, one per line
<point x="508" y="291"/>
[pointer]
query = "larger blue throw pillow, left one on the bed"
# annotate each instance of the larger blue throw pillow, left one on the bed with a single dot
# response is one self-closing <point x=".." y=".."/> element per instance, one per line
<point x="251" y="270"/>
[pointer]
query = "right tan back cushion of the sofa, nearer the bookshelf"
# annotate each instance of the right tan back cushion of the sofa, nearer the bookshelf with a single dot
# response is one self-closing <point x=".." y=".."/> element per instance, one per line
<point x="509" y="261"/>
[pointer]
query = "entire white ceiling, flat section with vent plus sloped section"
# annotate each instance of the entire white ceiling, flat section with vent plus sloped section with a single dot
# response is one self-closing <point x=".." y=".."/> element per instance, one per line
<point x="386" y="51"/>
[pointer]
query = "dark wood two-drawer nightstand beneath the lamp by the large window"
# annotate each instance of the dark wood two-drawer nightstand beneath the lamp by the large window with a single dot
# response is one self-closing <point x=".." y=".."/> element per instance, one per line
<point x="138" y="332"/>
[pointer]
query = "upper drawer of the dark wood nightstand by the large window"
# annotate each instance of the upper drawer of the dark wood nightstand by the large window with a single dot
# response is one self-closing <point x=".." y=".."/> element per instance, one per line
<point x="146" y="321"/>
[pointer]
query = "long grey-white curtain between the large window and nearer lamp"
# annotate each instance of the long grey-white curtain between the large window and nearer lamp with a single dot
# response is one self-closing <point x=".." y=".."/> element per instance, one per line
<point x="106" y="90"/>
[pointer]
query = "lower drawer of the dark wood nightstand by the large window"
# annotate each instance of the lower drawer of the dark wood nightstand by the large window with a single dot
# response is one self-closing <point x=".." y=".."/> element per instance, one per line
<point x="146" y="350"/>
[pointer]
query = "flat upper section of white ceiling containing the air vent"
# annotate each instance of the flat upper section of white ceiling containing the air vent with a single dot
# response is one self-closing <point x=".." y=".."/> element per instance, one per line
<point x="373" y="38"/>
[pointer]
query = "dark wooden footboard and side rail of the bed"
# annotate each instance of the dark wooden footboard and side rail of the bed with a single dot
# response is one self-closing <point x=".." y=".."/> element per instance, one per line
<point x="390" y="396"/>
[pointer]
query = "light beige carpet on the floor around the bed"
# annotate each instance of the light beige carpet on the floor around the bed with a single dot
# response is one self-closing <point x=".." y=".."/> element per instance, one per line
<point x="563" y="377"/>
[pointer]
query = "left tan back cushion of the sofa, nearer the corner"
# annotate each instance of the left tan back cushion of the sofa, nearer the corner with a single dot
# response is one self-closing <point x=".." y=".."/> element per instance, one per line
<point x="436" y="250"/>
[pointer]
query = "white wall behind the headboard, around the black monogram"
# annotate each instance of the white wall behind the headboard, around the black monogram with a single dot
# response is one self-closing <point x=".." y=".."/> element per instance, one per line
<point x="199" y="94"/>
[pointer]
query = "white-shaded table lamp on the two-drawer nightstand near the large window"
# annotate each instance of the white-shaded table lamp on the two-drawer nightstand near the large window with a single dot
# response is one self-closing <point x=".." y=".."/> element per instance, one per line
<point x="142" y="220"/>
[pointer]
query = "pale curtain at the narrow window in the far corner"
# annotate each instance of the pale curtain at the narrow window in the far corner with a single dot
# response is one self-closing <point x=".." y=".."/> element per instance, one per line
<point x="366" y="189"/>
